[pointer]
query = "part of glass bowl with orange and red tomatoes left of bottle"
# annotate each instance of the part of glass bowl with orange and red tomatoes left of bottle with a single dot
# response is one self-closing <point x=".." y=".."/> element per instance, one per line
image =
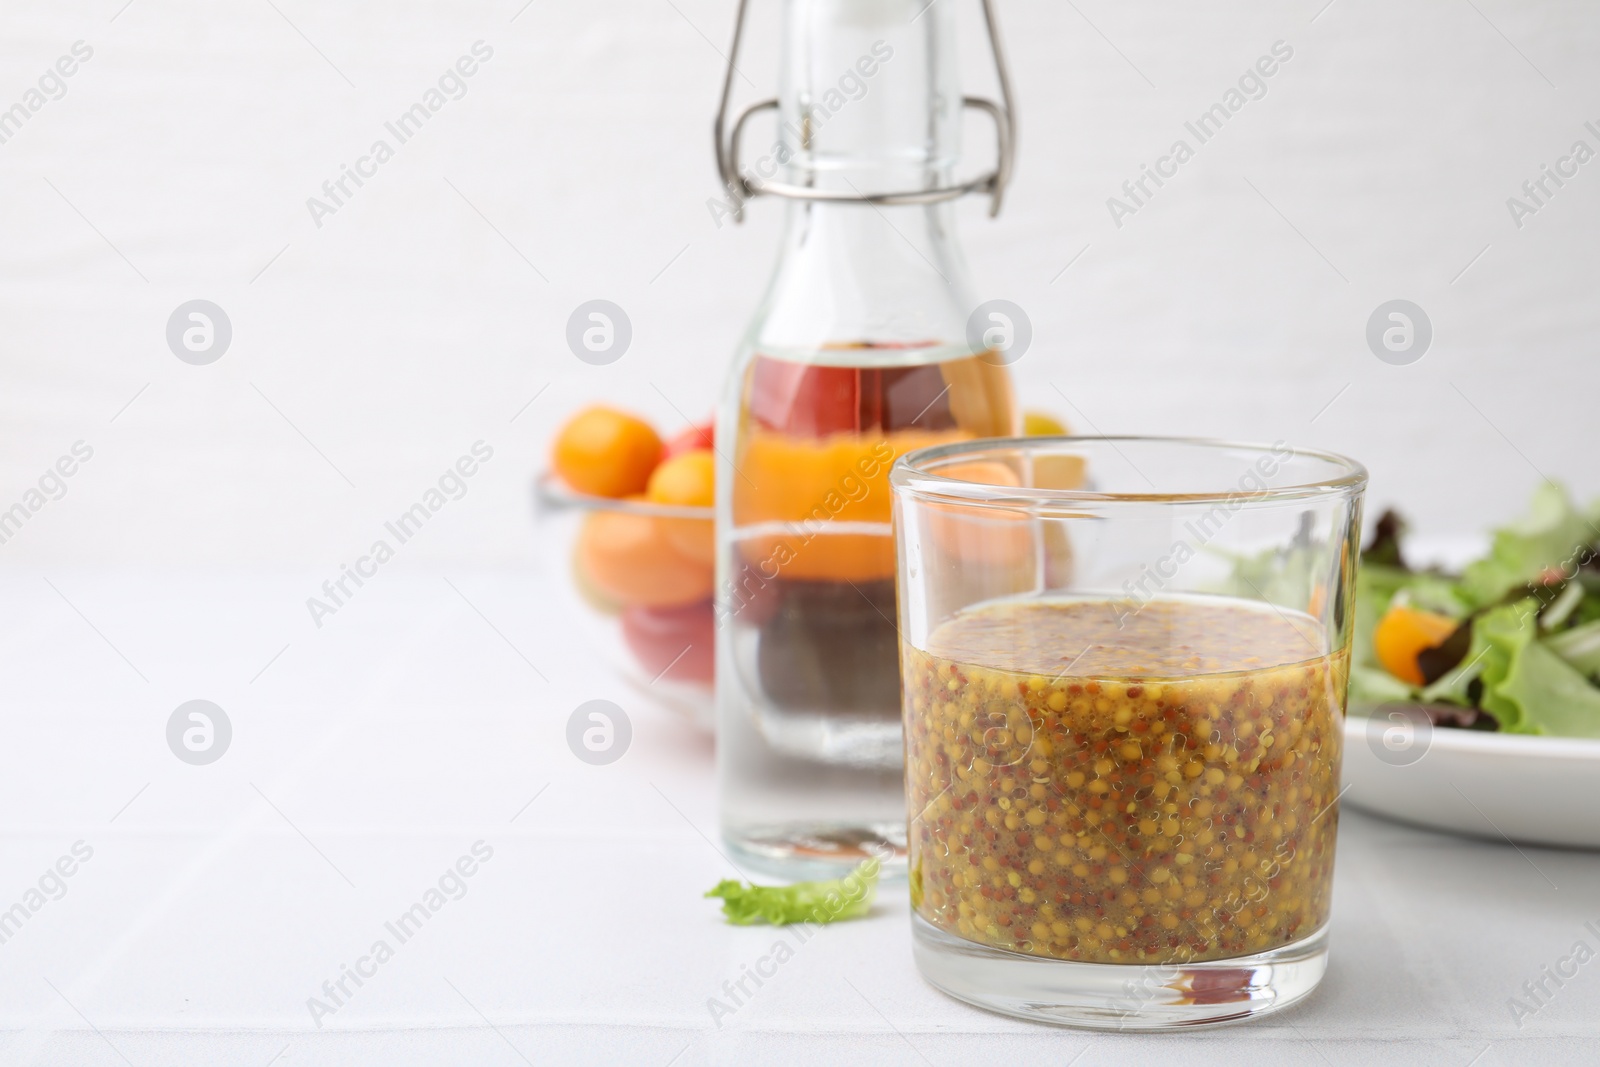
<point x="631" y="514"/>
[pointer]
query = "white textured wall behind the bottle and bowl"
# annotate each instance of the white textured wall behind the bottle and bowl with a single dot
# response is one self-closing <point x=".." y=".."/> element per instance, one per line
<point x="406" y="327"/>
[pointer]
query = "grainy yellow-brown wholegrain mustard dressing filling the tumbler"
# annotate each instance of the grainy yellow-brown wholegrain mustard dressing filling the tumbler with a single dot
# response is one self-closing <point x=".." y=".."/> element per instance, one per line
<point x="1172" y="799"/>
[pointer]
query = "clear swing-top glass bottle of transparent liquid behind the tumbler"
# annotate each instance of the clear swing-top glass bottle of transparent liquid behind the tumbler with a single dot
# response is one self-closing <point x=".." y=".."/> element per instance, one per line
<point x="858" y="354"/>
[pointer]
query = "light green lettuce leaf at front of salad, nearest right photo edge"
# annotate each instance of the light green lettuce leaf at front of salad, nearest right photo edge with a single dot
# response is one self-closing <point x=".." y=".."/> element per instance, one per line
<point x="1527" y="687"/>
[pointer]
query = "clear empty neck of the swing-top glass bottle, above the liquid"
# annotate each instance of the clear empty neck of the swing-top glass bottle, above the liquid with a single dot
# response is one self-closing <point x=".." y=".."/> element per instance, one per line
<point x="870" y="103"/>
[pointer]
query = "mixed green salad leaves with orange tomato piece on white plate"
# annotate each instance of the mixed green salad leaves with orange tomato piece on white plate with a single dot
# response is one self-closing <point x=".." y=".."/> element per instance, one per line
<point x="1526" y="650"/>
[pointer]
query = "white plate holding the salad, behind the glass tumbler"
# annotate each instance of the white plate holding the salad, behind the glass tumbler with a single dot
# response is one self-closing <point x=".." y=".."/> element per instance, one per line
<point x="1535" y="791"/>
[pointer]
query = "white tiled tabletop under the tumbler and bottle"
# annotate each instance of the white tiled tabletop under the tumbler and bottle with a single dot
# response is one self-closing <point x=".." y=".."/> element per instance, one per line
<point x="375" y="753"/>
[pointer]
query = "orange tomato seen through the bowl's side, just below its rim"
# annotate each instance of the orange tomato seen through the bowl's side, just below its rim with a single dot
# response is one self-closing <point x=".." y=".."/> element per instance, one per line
<point x="631" y="561"/>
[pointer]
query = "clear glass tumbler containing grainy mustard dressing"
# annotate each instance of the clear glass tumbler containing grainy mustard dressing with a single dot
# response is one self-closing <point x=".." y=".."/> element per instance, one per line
<point x="1124" y="671"/>
